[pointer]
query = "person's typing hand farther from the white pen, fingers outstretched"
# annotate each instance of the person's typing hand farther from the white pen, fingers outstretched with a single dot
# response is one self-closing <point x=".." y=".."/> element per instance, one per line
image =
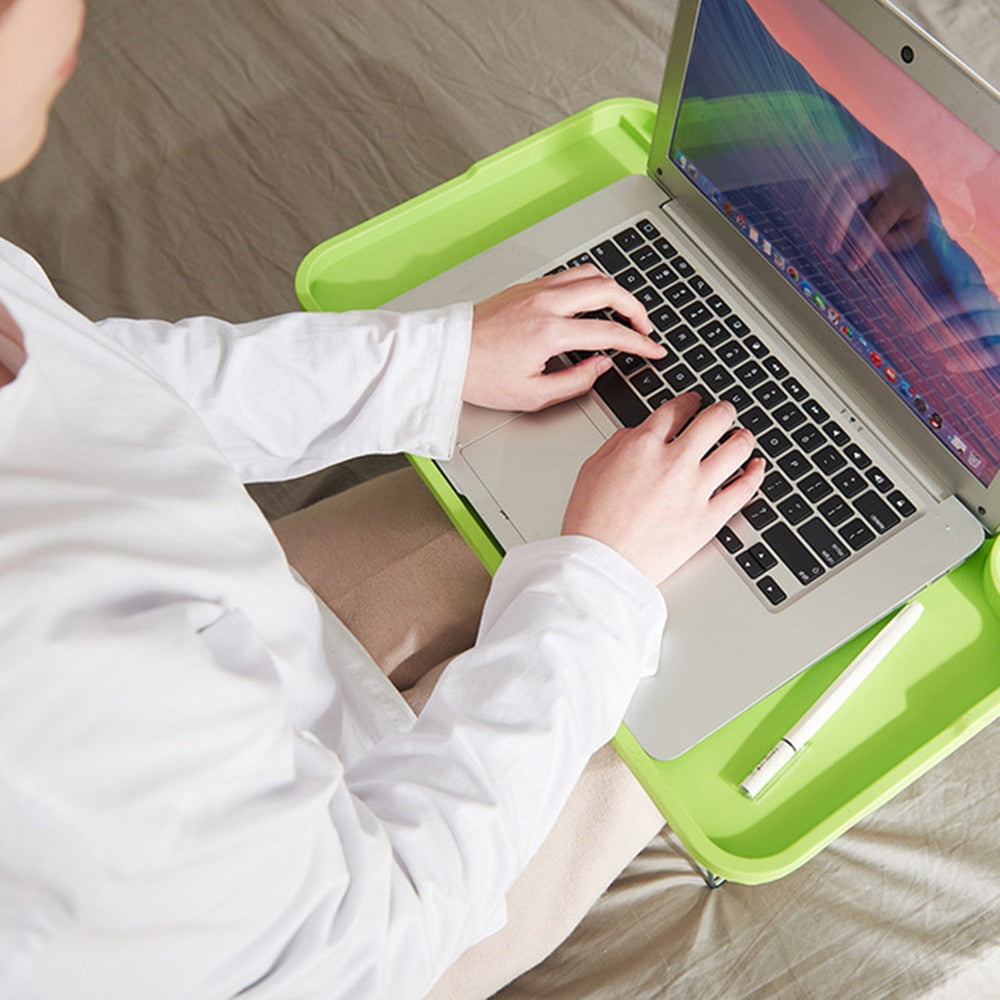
<point x="517" y="332"/>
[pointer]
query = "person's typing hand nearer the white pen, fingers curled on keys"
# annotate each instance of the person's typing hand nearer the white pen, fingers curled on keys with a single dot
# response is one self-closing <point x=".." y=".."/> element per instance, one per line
<point x="656" y="493"/>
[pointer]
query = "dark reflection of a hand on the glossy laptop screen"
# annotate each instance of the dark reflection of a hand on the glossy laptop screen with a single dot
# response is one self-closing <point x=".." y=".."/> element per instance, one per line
<point x="869" y="206"/>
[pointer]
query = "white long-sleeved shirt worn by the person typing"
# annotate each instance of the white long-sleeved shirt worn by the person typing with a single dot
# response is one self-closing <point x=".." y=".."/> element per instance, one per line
<point x="206" y="786"/>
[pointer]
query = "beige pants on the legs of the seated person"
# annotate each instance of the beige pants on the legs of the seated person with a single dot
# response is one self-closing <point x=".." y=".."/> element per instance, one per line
<point x="386" y="559"/>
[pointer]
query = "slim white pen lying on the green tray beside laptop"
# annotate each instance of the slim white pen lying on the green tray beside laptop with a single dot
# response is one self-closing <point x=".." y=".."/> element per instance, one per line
<point x="831" y="699"/>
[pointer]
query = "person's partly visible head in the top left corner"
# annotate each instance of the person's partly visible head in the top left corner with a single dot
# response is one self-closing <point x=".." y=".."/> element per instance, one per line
<point x="38" y="42"/>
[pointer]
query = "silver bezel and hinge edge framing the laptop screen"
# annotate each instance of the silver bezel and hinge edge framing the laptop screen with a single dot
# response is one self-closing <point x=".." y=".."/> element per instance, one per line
<point x="878" y="408"/>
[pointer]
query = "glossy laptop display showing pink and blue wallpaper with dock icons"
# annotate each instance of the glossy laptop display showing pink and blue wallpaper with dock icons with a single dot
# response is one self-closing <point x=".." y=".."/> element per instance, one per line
<point x="873" y="200"/>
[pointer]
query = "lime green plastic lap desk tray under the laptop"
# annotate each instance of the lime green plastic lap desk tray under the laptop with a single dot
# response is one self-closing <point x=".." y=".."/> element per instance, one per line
<point x="938" y="688"/>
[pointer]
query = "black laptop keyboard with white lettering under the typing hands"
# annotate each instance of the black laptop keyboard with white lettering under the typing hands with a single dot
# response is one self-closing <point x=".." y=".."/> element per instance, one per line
<point x="823" y="499"/>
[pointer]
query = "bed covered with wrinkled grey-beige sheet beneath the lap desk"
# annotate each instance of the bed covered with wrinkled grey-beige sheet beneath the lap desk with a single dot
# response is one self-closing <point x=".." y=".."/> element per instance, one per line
<point x="203" y="148"/>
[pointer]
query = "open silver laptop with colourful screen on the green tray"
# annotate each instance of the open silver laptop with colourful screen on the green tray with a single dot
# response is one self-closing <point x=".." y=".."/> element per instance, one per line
<point x="816" y="239"/>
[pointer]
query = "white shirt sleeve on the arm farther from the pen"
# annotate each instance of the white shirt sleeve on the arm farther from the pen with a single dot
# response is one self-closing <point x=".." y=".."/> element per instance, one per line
<point x="294" y="393"/>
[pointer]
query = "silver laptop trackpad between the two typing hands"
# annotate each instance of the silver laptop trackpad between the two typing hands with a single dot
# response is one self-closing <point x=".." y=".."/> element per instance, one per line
<point x="529" y="465"/>
